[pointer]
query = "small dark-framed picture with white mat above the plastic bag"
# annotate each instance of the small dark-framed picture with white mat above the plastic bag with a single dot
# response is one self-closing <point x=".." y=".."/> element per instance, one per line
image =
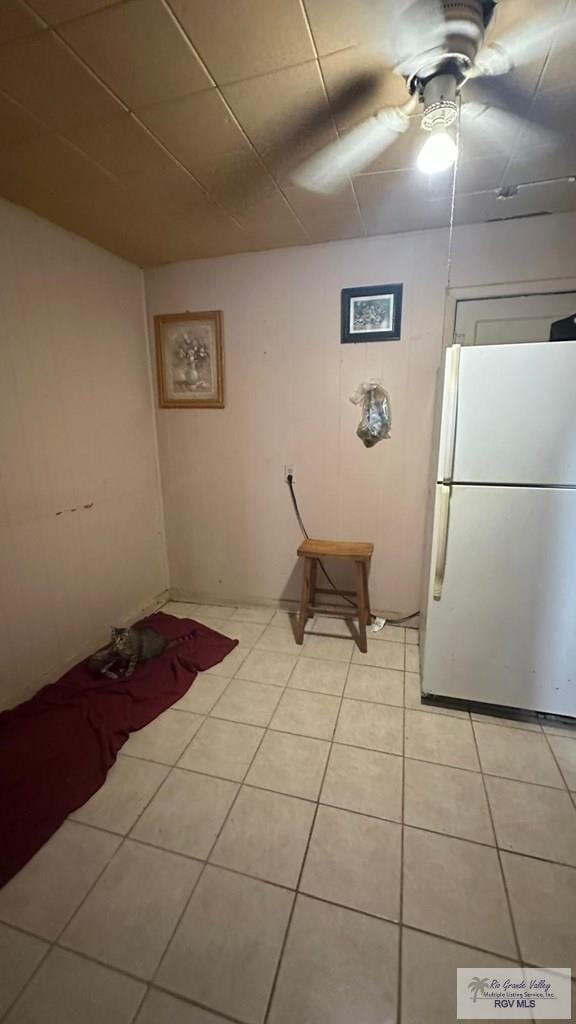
<point x="373" y="314"/>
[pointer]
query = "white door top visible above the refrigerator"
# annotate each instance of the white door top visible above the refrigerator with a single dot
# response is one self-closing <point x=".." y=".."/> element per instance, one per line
<point x="511" y="319"/>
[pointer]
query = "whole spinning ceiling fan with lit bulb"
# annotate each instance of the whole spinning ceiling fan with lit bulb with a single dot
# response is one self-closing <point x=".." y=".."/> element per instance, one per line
<point x="438" y="47"/>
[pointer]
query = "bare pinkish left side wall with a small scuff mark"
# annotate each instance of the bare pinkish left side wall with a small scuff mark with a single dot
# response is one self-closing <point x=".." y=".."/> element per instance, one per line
<point x="77" y="434"/>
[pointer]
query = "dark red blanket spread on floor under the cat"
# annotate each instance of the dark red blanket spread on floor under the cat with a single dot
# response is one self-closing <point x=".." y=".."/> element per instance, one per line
<point x="57" y="749"/>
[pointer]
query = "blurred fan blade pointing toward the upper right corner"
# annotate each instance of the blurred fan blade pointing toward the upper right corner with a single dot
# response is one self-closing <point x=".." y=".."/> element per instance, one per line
<point x="526" y="42"/>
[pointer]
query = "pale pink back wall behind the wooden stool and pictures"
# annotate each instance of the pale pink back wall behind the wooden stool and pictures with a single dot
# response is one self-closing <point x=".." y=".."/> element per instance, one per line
<point x="231" y="530"/>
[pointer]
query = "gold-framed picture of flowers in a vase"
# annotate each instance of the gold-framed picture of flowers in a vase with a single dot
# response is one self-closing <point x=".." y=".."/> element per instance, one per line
<point x="190" y="360"/>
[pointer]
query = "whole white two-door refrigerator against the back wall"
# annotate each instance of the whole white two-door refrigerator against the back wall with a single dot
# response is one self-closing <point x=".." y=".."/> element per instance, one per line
<point x="500" y="610"/>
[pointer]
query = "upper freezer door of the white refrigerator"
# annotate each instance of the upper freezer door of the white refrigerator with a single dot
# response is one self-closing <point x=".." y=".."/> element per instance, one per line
<point x="517" y="415"/>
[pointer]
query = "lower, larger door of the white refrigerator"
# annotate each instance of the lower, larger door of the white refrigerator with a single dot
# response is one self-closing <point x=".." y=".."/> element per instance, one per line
<point x="504" y="631"/>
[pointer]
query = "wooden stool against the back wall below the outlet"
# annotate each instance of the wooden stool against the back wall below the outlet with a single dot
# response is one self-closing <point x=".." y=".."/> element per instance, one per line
<point x="361" y="554"/>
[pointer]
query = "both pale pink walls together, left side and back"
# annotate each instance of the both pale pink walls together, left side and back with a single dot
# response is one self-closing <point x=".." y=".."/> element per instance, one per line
<point x="83" y="538"/>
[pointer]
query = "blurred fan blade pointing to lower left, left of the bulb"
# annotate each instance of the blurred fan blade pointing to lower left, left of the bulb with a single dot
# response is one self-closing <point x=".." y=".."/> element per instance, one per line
<point x="330" y="168"/>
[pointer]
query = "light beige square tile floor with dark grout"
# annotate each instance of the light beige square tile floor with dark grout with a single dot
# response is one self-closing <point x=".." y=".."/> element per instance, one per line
<point x="299" y="841"/>
